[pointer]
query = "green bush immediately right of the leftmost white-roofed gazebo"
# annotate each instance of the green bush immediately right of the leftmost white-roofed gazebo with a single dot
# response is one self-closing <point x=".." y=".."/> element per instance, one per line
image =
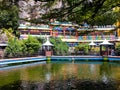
<point x="60" y="48"/>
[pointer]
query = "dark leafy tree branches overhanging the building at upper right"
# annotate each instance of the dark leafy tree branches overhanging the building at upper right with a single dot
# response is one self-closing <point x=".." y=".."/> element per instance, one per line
<point x="83" y="10"/>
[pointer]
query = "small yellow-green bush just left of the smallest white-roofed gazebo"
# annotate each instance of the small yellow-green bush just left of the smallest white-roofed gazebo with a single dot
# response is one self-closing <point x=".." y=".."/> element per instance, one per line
<point x="82" y="47"/>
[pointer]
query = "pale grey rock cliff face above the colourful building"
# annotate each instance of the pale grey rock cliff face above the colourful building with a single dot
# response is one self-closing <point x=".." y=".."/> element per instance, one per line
<point x="29" y="9"/>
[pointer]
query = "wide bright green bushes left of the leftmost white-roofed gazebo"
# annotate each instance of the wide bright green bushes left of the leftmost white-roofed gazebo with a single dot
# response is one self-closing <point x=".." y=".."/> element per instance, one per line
<point x="17" y="48"/>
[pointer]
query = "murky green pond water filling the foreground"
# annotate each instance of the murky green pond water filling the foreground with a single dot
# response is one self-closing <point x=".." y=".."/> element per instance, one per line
<point x="71" y="75"/>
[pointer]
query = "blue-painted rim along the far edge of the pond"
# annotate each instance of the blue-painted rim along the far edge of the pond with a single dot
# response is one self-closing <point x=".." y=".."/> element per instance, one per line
<point x="58" y="58"/>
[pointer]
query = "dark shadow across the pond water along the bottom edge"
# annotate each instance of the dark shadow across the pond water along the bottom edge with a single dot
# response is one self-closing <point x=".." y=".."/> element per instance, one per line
<point x="70" y="84"/>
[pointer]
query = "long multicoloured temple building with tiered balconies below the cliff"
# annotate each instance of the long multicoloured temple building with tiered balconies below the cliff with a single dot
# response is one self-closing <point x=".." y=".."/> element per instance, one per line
<point x="72" y="33"/>
